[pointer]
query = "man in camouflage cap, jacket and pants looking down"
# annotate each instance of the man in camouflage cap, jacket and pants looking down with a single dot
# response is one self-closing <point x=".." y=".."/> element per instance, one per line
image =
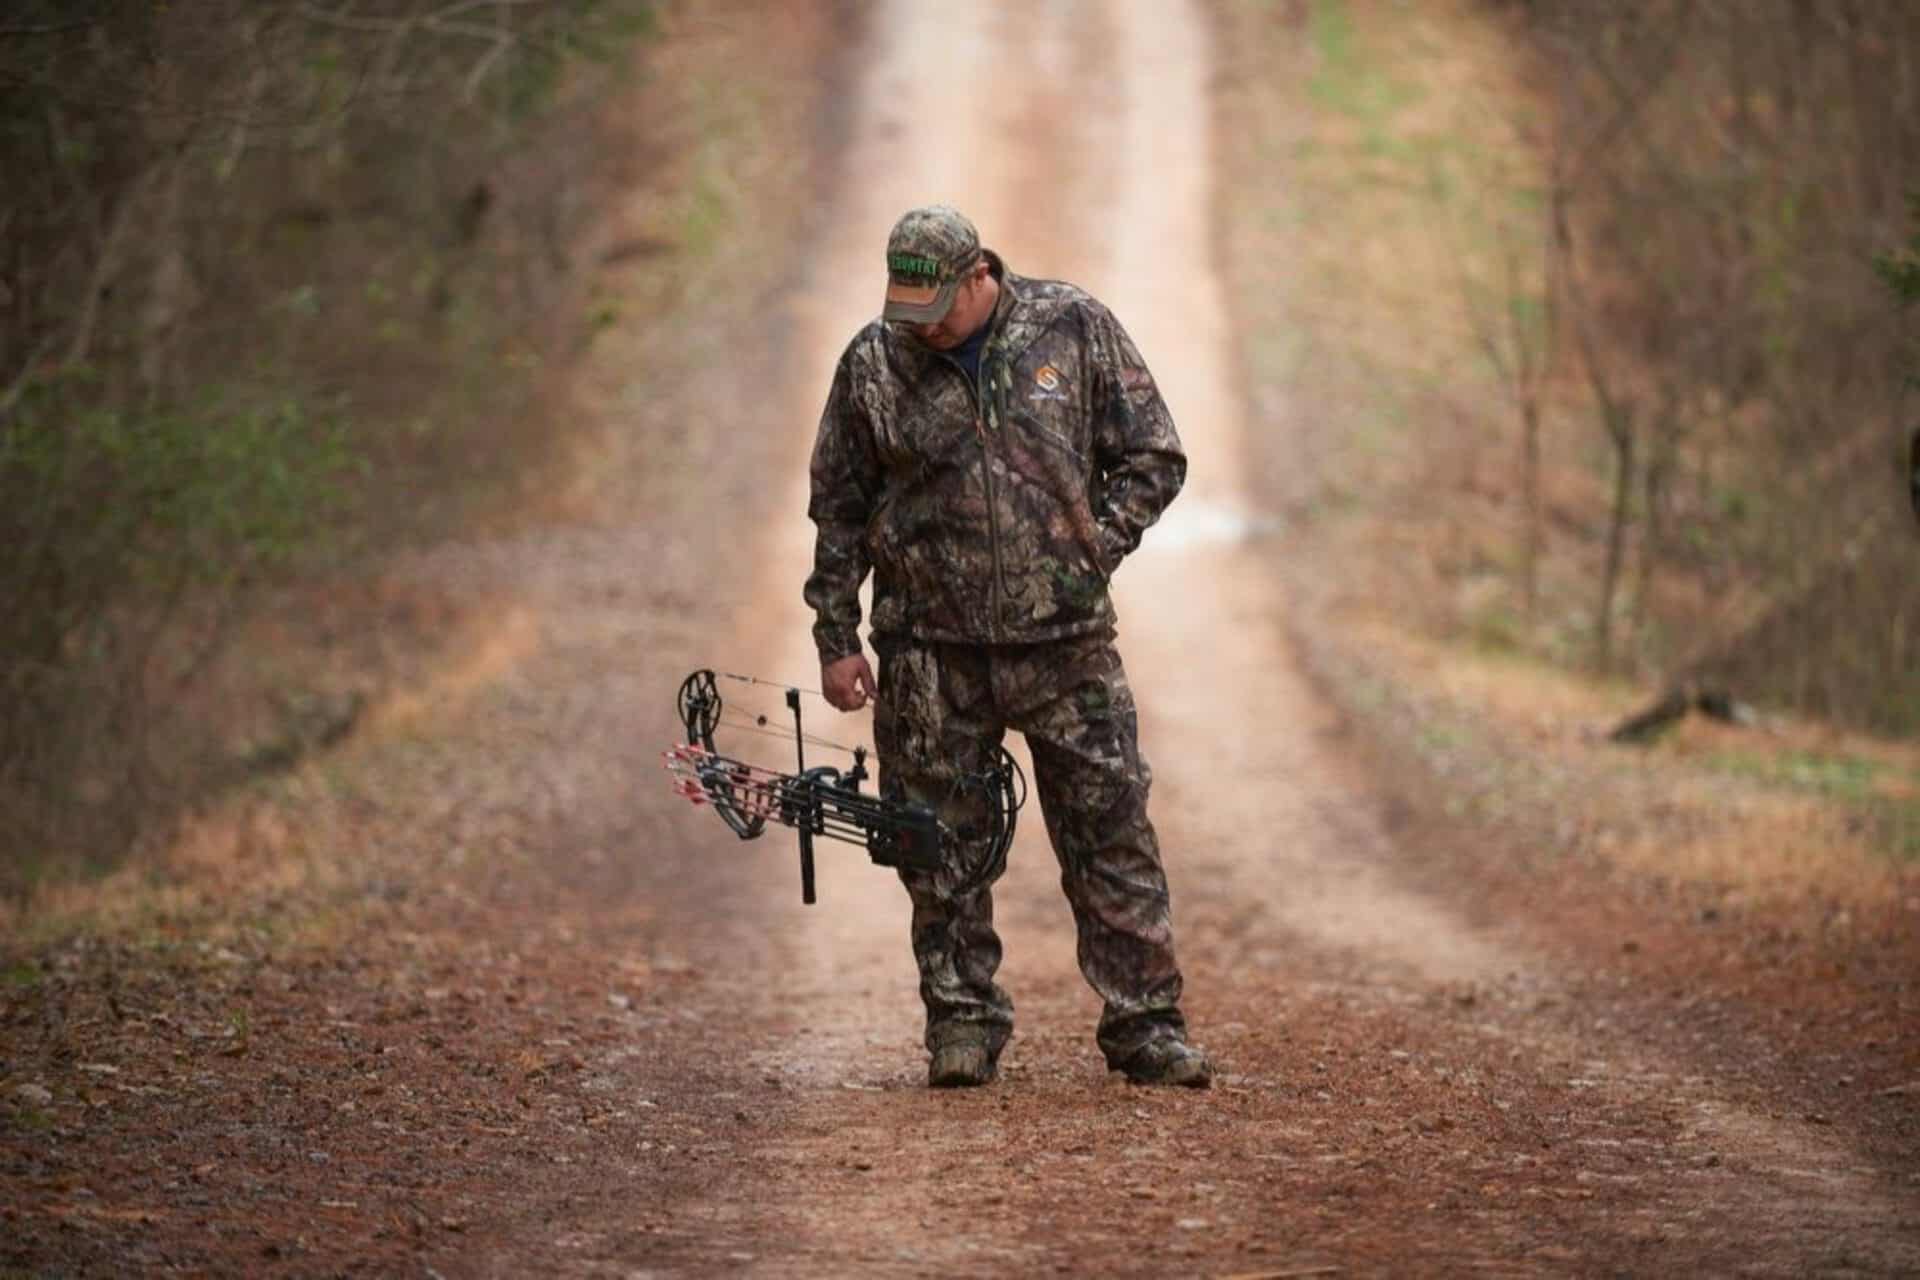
<point x="992" y="450"/>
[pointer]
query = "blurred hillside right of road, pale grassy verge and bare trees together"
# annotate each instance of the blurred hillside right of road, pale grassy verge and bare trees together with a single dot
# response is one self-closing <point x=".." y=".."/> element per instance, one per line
<point x="1610" y="310"/>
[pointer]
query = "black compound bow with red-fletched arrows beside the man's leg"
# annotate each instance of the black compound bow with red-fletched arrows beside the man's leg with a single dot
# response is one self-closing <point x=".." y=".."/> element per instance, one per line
<point x="823" y="801"/>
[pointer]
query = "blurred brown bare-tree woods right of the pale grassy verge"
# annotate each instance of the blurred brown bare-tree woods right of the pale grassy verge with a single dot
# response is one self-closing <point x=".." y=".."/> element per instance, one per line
<point x="1727" y="191"/>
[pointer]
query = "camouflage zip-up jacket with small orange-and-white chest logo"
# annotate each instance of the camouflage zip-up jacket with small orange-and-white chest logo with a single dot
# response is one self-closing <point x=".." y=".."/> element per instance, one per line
<point x="990" y="511"/>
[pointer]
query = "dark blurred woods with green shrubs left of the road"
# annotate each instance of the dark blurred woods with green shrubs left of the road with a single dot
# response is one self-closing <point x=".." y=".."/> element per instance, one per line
<point x="277" y="285"/>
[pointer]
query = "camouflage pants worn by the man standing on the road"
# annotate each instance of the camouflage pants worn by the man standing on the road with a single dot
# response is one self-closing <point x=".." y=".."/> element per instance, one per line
<point x="942" y="711"/>
